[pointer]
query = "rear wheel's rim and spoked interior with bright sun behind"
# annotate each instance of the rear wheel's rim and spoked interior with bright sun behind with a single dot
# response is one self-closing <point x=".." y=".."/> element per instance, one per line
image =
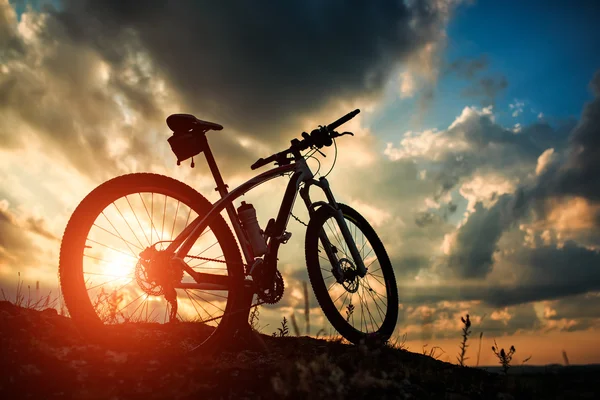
<point x="116" y="284"/>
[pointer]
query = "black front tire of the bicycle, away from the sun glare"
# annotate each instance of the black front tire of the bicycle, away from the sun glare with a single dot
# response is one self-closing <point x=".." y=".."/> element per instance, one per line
<point x="314" y="260"/>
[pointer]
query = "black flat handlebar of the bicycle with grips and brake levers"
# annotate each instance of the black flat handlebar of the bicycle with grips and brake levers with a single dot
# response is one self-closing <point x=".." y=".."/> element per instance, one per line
<point x="318" y="138"/>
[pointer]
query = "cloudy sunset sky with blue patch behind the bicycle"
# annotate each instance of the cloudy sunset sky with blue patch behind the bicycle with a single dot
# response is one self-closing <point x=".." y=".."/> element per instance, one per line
<point x="475" y="156"/>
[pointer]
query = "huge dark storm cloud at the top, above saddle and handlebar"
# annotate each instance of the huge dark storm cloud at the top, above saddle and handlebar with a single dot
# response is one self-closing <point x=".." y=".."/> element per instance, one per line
<point x="259" y="66"/>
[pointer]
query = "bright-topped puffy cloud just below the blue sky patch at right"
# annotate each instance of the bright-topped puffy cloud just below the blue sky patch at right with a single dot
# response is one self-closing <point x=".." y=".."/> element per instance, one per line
<point x="474" y="142"/>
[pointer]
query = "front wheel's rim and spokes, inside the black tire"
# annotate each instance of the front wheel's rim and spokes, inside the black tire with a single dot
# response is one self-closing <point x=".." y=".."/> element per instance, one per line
<point x="362" y="302"/>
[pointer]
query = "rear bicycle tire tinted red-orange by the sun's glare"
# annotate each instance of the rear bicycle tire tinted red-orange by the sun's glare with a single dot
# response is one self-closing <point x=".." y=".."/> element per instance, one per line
<point x="75" y="237"/>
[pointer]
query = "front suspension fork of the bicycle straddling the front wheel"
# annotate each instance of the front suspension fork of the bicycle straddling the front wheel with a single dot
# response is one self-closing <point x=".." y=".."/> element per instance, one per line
<point x="339" y="217"/>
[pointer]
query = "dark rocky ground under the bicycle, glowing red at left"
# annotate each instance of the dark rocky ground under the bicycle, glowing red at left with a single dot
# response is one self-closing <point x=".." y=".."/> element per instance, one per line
<point x="44" y="357"/>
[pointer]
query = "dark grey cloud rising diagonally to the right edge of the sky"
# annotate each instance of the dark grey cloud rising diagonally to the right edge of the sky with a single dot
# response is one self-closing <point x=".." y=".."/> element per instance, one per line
<point x="575" y="176"/>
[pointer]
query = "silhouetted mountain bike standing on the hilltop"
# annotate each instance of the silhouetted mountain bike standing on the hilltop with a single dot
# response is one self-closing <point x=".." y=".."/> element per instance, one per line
<point x="196" y="273"/>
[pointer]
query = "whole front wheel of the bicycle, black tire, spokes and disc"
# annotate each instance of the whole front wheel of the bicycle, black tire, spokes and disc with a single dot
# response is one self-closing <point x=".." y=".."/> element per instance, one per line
<point x="357" y="307"/>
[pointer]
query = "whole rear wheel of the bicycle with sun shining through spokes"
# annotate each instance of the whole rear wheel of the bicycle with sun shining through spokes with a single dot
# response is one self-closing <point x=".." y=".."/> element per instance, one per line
<point x="106" y="283"/>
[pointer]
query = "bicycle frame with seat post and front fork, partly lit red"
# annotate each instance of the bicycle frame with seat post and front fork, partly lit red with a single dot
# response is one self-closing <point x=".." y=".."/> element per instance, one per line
<point x="181" y="245"/>
